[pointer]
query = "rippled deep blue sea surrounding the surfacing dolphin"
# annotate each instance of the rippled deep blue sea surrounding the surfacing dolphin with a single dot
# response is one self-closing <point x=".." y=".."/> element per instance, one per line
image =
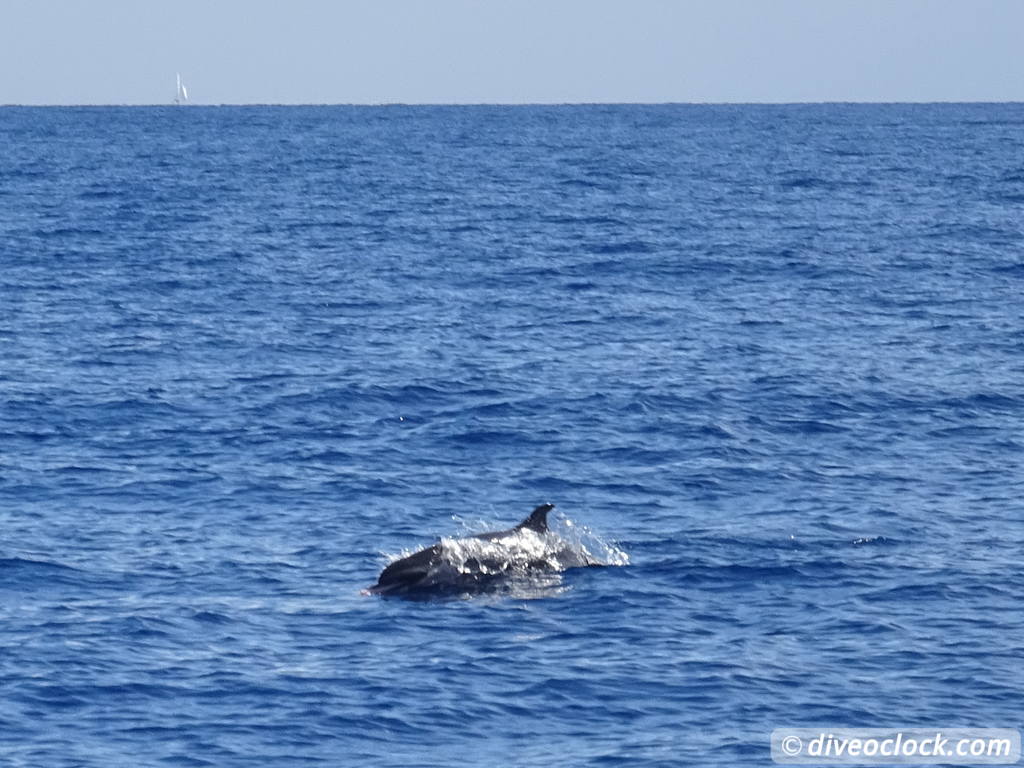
<point x="774" y="355"/>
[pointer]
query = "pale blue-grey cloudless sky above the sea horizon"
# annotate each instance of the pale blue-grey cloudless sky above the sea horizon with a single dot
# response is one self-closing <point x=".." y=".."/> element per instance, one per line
<point x="510" y="52"/>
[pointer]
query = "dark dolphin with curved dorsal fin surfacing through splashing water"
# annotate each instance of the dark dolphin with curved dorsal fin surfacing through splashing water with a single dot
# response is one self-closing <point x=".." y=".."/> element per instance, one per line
<point x="479" y="563"/>
